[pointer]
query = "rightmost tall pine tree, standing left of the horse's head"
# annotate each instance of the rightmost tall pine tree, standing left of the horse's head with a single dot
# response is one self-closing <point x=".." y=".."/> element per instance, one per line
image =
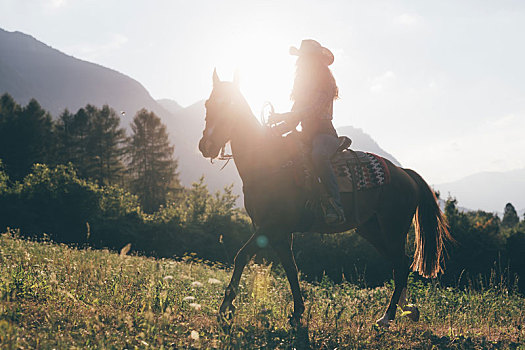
<point x="152" y="166"/>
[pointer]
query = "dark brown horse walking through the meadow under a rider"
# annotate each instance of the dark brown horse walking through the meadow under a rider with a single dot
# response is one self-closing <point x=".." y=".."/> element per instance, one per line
<point x="276" y="204"/>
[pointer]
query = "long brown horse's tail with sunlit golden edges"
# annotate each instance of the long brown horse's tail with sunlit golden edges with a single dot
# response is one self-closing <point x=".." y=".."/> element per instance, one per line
<point x="431" y="230"/>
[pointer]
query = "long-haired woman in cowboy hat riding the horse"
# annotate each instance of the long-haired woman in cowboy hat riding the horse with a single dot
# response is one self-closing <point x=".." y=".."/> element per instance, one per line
<point x="314" y="92"/>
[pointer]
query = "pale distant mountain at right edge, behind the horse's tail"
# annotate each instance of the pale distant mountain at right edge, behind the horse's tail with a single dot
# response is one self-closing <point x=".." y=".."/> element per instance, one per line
<point x="488" y="191"/>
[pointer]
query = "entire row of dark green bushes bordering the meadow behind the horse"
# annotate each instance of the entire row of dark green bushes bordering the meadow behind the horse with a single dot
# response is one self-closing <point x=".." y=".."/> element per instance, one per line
<point x="54" y="201"/>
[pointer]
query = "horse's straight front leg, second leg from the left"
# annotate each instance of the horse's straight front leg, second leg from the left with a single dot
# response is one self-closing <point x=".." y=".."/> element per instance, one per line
<point x="283" y="248"/>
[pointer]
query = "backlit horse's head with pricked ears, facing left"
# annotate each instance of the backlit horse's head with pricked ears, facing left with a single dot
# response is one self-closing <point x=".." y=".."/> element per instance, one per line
<point x="221" y="109"/>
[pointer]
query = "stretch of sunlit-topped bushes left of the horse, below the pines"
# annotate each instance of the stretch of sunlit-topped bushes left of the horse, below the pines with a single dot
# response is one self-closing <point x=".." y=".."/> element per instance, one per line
<point x="55" y="202"/>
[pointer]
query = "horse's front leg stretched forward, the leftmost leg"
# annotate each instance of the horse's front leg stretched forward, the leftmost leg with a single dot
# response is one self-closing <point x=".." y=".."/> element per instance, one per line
<point x="244" y="255"/>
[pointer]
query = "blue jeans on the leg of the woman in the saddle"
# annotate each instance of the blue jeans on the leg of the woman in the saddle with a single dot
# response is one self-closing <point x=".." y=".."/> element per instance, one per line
<point x="324" y="147"/>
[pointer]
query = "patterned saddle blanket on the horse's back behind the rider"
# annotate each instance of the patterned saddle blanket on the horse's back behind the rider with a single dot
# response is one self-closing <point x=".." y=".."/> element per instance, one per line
<point x="358" y="171"/>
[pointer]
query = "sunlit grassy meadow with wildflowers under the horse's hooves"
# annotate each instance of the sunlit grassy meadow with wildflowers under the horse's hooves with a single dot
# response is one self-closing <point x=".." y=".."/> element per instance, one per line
<point x="52" y="296"/>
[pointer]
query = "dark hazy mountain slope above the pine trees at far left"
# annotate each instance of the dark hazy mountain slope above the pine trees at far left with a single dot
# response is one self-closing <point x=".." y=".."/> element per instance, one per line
<point x="32" y="69"/>
